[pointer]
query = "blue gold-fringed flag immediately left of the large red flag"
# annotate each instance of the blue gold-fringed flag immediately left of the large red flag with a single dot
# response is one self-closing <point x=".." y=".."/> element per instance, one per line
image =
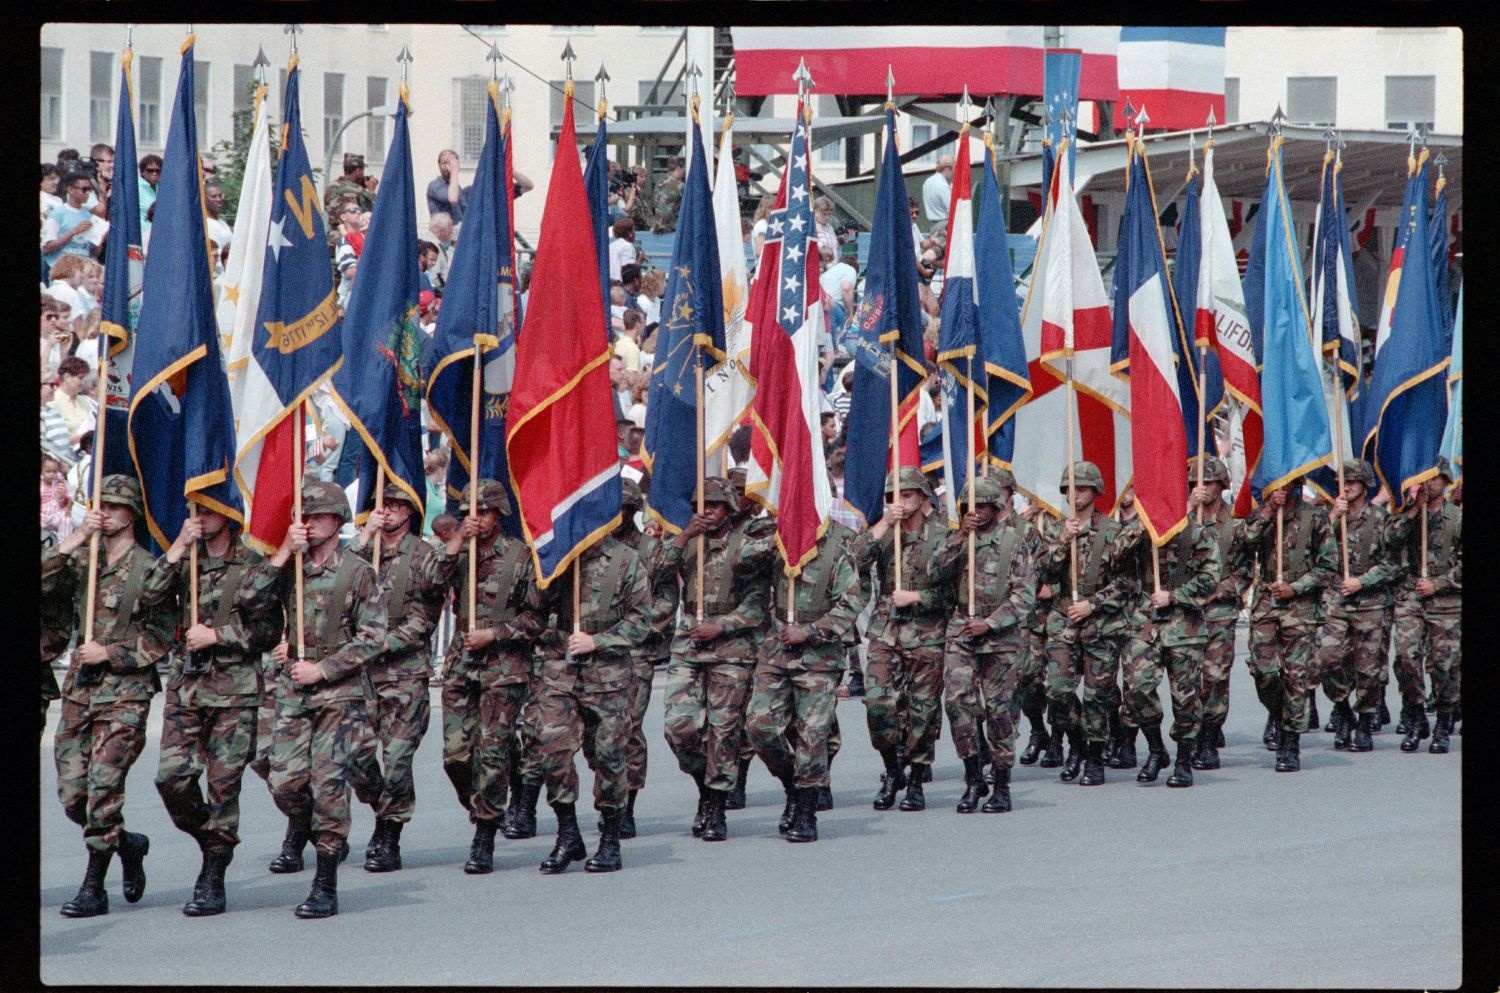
<point x="479" y="310"/>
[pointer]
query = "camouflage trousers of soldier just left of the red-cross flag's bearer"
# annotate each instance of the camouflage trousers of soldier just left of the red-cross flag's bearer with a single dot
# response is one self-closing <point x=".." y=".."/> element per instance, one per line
<point x="977" y="692"/>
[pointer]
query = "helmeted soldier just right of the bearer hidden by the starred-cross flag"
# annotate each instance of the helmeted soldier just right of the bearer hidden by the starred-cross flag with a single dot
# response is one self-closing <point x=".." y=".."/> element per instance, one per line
<point x="904" y="671"/>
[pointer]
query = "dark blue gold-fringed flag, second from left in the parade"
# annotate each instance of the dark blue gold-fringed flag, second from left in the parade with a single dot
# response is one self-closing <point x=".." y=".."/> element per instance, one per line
<point x="181" y="427"/>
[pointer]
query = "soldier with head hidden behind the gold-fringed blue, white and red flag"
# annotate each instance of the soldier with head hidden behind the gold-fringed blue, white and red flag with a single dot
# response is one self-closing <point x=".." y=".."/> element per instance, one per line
<point x="1168" y="634"/>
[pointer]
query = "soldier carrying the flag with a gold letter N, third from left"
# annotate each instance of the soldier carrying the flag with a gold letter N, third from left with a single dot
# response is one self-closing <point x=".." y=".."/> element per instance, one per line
<point x="325" y="740"/>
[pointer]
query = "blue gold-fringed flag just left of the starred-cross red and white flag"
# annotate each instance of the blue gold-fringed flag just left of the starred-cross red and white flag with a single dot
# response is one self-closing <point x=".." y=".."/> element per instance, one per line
<point x="691" y="337"/>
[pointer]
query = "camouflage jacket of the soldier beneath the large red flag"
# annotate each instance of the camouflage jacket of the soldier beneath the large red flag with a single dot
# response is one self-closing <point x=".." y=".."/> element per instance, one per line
<point x="614" y="607"/>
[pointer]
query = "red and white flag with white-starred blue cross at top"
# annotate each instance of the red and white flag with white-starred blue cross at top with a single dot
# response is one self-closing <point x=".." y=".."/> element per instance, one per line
<point x="788" y="472"/>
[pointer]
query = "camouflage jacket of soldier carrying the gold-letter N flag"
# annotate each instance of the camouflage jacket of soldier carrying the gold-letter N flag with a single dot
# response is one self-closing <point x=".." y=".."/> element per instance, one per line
<point x="344" y="635"/>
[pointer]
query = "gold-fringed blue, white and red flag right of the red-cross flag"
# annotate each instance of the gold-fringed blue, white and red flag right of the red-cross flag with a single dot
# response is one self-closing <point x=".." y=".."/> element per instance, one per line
<point x="1145" y="308"/>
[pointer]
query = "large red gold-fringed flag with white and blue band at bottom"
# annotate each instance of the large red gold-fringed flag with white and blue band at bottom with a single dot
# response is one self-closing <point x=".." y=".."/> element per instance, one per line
<point x="563" y="469"/>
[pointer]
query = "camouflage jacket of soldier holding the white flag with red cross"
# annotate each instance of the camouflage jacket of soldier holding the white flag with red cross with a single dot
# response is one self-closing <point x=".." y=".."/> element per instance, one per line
<point x="1103" y="581"/>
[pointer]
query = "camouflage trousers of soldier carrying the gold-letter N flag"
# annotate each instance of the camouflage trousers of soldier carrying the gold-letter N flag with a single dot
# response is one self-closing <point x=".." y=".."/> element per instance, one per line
<point x="317" y="755"/>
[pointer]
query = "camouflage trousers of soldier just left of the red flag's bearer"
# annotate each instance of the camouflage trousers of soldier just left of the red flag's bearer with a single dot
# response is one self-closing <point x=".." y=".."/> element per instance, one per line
<point x="479" y="742"/>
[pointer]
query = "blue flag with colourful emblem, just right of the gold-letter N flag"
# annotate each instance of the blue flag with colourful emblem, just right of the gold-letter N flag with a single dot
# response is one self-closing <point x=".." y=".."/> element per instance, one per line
<point x="380" y="383"/>
